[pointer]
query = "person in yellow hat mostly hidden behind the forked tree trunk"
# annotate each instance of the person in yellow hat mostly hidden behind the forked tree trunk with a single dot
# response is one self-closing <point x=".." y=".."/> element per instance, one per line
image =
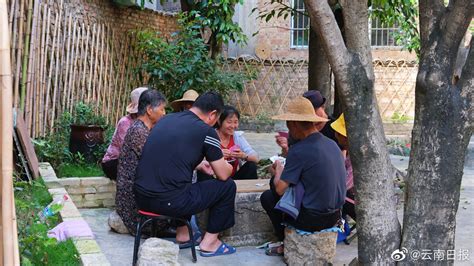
<point x="341" y="135"/>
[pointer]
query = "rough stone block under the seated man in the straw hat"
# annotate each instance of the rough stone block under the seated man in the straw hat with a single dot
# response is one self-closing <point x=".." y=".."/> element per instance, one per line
<point x="314" y="249"/>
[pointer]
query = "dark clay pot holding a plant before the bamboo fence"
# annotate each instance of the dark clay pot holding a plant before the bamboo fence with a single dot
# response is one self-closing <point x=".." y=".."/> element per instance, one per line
<point x="84" y="139"/>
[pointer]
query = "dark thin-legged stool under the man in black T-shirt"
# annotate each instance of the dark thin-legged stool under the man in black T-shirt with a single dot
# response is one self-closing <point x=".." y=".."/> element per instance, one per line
<point x="145" y="218"/>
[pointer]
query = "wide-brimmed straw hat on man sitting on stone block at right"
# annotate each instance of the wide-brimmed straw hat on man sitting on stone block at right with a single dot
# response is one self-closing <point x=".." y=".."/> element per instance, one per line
<point x="300" y="109"/>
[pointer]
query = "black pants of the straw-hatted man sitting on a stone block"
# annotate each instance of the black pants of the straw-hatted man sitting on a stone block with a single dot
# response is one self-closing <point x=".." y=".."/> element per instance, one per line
<point x="307" y="220"/>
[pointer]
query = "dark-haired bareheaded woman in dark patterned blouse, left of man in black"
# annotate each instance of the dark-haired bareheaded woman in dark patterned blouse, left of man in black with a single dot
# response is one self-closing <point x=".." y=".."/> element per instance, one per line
<point x="151" y="107"/>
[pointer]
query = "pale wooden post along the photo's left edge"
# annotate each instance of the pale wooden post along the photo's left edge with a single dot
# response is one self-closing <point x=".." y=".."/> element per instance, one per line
<point x="9" y="247"/>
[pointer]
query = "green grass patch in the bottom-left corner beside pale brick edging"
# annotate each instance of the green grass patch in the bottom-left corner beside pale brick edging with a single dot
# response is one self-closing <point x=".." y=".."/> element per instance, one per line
<point x="36" y="248"/>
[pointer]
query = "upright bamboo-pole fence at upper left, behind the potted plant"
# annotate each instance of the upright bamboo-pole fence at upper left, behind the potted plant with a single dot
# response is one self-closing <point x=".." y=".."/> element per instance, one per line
<point x="62" y="60"/>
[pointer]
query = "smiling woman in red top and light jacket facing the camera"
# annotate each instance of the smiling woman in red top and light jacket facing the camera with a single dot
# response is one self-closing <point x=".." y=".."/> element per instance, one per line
<point x="237" y="151"/>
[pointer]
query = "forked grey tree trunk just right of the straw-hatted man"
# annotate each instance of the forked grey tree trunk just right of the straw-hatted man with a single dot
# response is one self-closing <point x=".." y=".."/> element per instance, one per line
<point x="377" y="225"/>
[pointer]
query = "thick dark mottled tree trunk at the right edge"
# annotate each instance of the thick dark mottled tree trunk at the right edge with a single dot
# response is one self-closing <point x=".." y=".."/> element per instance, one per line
<point x="442" y="129"/>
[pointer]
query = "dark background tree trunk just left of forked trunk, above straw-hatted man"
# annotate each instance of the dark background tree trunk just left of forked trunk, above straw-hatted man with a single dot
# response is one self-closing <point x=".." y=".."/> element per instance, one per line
<point x="319" y="71"/>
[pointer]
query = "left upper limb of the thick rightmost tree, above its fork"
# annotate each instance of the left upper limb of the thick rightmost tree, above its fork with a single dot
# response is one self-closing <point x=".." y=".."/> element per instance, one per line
<point x="430" y="12"/>
